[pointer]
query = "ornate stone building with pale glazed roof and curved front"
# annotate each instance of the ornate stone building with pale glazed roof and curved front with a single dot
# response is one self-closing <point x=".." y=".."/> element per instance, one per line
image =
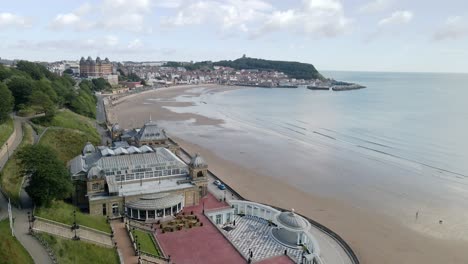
<point x="143" y="183"/>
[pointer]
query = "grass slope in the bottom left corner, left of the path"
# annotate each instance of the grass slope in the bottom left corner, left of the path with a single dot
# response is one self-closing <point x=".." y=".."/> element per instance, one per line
<point x="11" y="250"/>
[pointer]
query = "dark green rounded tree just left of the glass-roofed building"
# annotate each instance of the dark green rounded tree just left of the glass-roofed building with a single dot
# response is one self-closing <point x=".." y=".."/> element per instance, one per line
<point x="50" y="179"/>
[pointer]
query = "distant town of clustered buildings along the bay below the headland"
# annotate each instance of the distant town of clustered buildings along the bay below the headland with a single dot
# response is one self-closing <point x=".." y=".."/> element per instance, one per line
<point x="159" y="74"/>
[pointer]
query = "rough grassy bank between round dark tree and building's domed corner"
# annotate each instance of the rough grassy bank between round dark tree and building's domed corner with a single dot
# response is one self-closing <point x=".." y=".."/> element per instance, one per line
<point x="68" y="143"/>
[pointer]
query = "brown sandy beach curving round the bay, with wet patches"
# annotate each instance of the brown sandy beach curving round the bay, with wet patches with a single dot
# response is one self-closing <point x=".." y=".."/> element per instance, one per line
<point x="375" y="237"/>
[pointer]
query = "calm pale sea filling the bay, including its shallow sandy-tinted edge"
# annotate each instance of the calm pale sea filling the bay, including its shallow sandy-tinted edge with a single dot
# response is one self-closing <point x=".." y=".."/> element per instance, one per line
<point x="397" y="147"/>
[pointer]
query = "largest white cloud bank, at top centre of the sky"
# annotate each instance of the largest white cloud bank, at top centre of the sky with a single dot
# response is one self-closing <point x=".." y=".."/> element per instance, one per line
<point x="256" y="17"/>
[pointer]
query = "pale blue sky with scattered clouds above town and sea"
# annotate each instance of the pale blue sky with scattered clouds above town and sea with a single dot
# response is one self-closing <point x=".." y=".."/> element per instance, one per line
<point x="358" y="35"/>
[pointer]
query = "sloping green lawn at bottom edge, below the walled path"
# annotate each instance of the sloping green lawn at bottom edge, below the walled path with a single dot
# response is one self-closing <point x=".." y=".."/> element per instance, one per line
<point x="71" y="252"/>
